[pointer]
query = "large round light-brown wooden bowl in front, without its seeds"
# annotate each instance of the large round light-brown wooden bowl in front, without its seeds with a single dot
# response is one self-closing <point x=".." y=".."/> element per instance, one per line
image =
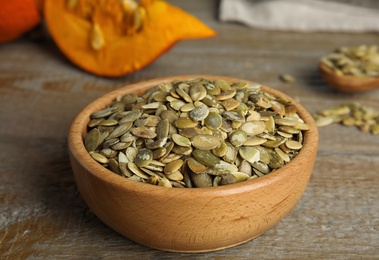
<point x="191" y="219"/>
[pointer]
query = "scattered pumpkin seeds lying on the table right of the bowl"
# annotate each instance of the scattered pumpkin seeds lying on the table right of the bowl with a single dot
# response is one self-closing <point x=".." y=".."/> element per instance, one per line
<point x="364" y="118"/>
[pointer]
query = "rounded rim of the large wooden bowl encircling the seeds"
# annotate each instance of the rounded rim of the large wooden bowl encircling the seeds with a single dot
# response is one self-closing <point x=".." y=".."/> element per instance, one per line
<point x="78" y="151"/>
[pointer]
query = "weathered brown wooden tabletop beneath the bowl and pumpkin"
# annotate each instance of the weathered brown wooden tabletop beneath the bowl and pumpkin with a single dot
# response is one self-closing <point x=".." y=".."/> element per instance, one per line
<point x="42" y="215"/>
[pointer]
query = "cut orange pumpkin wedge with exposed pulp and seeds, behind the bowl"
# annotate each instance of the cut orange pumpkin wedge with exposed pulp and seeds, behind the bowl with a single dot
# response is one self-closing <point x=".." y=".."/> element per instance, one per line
<point x="116" y="37"/>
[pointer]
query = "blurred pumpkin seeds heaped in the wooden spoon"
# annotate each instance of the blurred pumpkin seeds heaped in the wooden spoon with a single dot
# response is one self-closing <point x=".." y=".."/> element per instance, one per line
<point x="362" y="61"/>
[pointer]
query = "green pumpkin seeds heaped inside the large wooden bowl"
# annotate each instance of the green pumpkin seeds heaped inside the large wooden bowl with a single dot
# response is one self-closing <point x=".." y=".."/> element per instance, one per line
<point x="196" y="133"/>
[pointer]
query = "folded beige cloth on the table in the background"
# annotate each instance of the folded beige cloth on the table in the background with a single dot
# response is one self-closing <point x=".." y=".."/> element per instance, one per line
<point x="301" y="15"/>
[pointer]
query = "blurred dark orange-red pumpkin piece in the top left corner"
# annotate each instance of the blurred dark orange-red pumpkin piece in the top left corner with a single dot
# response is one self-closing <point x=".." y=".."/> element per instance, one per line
<point x="16" y="18"/>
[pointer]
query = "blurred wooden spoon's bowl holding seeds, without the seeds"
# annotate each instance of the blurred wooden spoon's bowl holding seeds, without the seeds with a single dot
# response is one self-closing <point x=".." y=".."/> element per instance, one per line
<point x="349" y="84"/>
